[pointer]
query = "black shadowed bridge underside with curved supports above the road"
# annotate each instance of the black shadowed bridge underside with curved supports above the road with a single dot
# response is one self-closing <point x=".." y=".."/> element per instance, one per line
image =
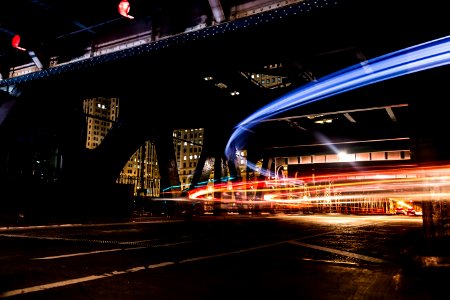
<point x="164" y="89"/>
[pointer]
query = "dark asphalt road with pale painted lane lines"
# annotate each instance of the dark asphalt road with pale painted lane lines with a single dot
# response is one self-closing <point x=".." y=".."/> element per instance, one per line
<point x="252" y="257"/>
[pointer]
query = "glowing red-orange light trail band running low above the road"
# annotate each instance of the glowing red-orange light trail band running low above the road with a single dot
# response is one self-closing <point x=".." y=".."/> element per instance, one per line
<point x="363" y="192"/>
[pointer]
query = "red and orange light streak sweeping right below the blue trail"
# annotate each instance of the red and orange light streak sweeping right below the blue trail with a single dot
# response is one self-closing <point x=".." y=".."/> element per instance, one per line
<point x="412" y="184"/>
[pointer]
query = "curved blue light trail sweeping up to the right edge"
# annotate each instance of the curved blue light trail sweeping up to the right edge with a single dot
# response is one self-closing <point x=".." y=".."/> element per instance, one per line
<point x="413" y="59"/>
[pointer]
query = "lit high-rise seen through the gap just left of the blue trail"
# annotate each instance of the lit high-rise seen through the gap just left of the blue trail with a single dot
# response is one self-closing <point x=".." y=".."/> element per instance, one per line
<point x="188" y="145"/>
